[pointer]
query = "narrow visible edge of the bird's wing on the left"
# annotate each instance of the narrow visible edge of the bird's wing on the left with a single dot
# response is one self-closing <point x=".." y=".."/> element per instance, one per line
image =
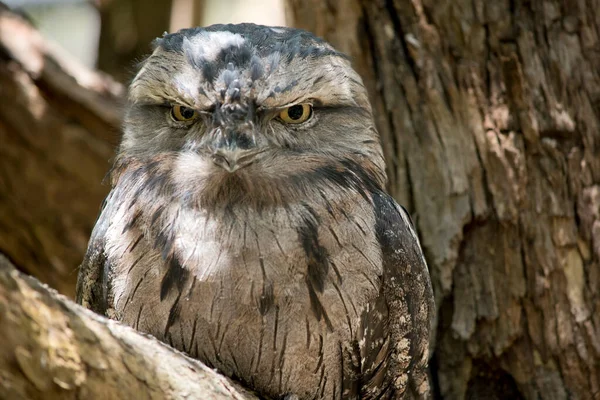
<point x="92" y="279"/>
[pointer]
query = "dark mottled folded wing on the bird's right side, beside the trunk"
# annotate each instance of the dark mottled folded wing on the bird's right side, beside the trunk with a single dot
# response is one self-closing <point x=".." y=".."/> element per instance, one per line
<point x="394" y="350"/>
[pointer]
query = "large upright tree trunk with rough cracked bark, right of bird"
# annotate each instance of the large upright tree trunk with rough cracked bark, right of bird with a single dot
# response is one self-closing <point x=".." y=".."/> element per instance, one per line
<point x="489" y="116"/>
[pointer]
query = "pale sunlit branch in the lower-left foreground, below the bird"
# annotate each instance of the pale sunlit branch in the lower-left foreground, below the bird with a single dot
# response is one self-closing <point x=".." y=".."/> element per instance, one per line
<point x="55" y="349"/>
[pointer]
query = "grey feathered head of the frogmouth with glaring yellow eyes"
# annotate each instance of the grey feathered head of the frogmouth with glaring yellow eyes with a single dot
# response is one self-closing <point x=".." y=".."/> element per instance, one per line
<point x="250" y="106"/>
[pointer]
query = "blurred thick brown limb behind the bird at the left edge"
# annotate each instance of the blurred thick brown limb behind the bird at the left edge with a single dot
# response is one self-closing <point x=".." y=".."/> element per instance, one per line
<point x="59" y="124"/>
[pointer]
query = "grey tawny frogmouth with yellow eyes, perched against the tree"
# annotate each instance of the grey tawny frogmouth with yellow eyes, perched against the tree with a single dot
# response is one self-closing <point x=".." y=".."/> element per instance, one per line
<point x="248" y="223"/>
